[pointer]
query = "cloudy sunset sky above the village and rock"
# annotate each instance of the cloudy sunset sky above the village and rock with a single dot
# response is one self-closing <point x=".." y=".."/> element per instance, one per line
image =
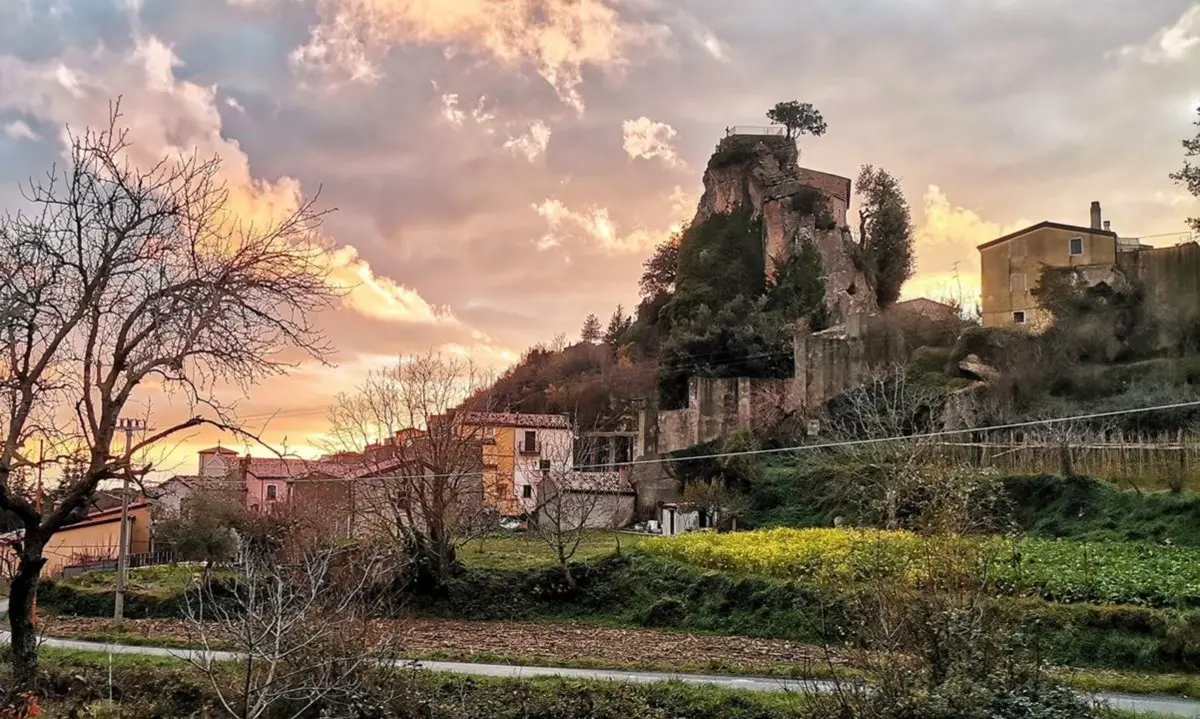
<point x="501" y="169"/>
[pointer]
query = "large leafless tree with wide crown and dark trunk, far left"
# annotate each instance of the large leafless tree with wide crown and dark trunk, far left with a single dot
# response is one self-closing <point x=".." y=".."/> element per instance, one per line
<point x="119" y="278"/>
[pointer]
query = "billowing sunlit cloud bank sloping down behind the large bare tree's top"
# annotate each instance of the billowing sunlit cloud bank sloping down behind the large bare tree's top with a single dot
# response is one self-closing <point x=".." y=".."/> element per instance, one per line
<point x="169" y="117"/>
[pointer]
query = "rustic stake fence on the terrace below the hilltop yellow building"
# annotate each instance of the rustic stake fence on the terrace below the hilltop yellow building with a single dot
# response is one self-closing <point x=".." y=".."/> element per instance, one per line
<point x="1167" y="460"/>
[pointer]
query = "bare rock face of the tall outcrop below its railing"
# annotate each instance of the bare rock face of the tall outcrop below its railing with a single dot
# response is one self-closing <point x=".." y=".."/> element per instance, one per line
<point x="764" y="172"/>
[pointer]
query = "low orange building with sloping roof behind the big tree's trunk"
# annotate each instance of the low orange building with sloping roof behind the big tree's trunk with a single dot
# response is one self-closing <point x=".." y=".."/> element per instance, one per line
<point x="93" y="540"/>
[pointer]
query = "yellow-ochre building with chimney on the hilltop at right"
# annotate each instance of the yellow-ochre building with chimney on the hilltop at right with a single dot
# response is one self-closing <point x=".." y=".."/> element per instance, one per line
<point x="1012" y="266"/>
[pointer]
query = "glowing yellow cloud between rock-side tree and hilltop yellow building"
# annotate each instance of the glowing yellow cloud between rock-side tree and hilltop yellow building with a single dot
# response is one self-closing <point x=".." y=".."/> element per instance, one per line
<point x="946" y="244"/>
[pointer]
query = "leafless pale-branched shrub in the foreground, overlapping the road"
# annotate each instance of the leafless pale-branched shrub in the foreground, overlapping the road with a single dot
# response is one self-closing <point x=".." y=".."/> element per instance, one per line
<point x="301" y="633"/>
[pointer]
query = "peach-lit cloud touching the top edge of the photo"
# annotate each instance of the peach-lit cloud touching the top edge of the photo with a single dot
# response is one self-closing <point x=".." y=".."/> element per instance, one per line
<point x="557" y="38"/>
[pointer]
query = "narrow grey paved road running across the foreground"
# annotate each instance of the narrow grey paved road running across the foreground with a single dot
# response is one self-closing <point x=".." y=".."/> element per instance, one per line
<point x="1132" y="703"/>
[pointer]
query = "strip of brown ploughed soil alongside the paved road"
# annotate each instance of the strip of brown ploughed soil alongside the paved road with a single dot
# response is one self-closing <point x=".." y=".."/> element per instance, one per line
<point x="541" y="642"/>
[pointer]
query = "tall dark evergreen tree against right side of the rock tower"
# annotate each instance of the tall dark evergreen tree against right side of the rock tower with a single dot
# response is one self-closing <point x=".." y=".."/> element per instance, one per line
<point x="885" y="233"/>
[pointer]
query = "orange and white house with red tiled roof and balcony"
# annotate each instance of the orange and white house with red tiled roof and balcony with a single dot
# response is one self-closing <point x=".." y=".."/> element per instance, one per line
<point x="518" y="450"/>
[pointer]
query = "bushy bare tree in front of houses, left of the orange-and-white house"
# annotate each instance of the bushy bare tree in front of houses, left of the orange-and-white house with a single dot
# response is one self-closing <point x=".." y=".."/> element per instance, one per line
<point x="424" y="454"/>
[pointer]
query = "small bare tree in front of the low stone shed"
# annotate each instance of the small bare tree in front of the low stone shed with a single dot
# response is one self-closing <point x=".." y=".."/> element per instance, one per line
<point x="571" y="504"/>
